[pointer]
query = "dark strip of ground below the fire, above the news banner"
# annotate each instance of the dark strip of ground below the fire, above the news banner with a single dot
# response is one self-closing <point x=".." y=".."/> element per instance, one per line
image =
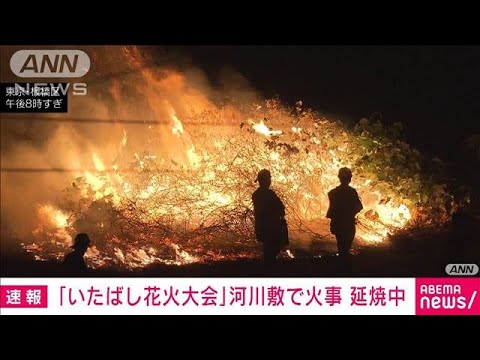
<point x="418" y="253"/>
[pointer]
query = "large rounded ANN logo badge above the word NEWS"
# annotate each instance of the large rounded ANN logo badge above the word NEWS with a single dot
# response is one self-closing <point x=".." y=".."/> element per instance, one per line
<point x="50" y="63"/>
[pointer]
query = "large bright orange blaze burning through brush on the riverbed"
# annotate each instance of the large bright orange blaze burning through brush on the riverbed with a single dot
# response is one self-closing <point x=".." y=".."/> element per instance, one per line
<point x="192" y="201"/>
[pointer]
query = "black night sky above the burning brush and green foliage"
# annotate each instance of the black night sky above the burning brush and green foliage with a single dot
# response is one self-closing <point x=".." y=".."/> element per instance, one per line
<point x="433" y="91"/>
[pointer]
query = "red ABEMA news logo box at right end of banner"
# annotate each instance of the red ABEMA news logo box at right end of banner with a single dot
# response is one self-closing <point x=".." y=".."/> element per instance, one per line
<point x="447" y="296"/>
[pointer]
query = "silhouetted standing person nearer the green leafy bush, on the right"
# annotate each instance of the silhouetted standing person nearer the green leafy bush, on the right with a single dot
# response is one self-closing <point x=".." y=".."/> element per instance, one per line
<point x="344" y="206"/>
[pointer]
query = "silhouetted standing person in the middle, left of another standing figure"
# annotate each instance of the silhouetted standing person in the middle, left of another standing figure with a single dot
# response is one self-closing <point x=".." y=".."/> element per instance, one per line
<point x="269" y="213"/>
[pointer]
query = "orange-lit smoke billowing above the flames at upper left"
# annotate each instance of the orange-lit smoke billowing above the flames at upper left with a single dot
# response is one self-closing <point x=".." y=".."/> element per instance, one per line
<point x="148" y="84"/>
